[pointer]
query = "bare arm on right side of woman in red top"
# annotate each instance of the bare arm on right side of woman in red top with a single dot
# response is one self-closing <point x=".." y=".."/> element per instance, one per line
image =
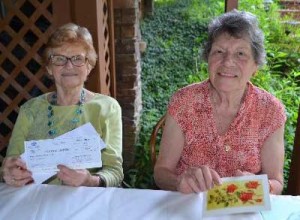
<point x="272" y="157"/>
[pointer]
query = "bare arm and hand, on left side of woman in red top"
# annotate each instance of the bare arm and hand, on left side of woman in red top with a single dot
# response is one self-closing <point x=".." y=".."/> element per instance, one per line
<point x="194" y="179"/>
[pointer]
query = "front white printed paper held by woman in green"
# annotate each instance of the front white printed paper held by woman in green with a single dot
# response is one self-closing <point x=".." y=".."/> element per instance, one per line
<point x="74" y="152"/>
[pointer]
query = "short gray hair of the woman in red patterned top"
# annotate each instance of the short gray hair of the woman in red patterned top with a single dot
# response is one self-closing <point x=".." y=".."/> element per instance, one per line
<point x="239" y="24"/>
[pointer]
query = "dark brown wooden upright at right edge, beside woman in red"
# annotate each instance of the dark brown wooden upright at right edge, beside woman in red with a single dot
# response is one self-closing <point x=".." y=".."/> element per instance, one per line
<point x="293" y="187"/>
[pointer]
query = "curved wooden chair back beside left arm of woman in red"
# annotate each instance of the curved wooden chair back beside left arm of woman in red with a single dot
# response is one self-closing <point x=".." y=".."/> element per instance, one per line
<point x="156" y="130"/>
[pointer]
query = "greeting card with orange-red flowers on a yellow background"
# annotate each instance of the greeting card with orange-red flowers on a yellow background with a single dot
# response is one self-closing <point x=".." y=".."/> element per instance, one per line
<point x="237" y="195"/>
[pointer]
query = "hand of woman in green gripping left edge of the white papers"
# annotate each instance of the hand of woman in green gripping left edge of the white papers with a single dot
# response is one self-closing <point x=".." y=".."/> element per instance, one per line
<point x="15" y="172"/>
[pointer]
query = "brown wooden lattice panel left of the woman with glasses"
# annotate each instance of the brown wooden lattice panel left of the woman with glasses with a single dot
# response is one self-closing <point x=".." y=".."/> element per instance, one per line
<point x="25" y="26"/>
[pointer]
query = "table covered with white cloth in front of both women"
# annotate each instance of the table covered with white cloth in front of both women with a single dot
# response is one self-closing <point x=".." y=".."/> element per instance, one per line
<point x="47" y="202"/>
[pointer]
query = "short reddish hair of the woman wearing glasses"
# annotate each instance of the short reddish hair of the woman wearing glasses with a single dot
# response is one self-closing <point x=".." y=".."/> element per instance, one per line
<point x="72" y="33"/>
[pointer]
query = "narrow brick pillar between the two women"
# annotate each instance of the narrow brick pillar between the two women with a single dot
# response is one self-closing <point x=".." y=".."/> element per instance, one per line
<point x="128" y="71"/>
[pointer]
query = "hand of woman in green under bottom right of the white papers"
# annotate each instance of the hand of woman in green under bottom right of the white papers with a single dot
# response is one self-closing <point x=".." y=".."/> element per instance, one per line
<point x="73" y="177"/>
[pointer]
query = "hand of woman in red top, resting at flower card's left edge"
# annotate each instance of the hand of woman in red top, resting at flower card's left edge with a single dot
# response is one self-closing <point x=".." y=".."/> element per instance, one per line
<point x="197" y="179"/>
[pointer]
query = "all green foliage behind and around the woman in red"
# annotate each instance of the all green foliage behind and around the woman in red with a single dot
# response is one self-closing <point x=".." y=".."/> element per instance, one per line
<point x="174" y="35"/>
